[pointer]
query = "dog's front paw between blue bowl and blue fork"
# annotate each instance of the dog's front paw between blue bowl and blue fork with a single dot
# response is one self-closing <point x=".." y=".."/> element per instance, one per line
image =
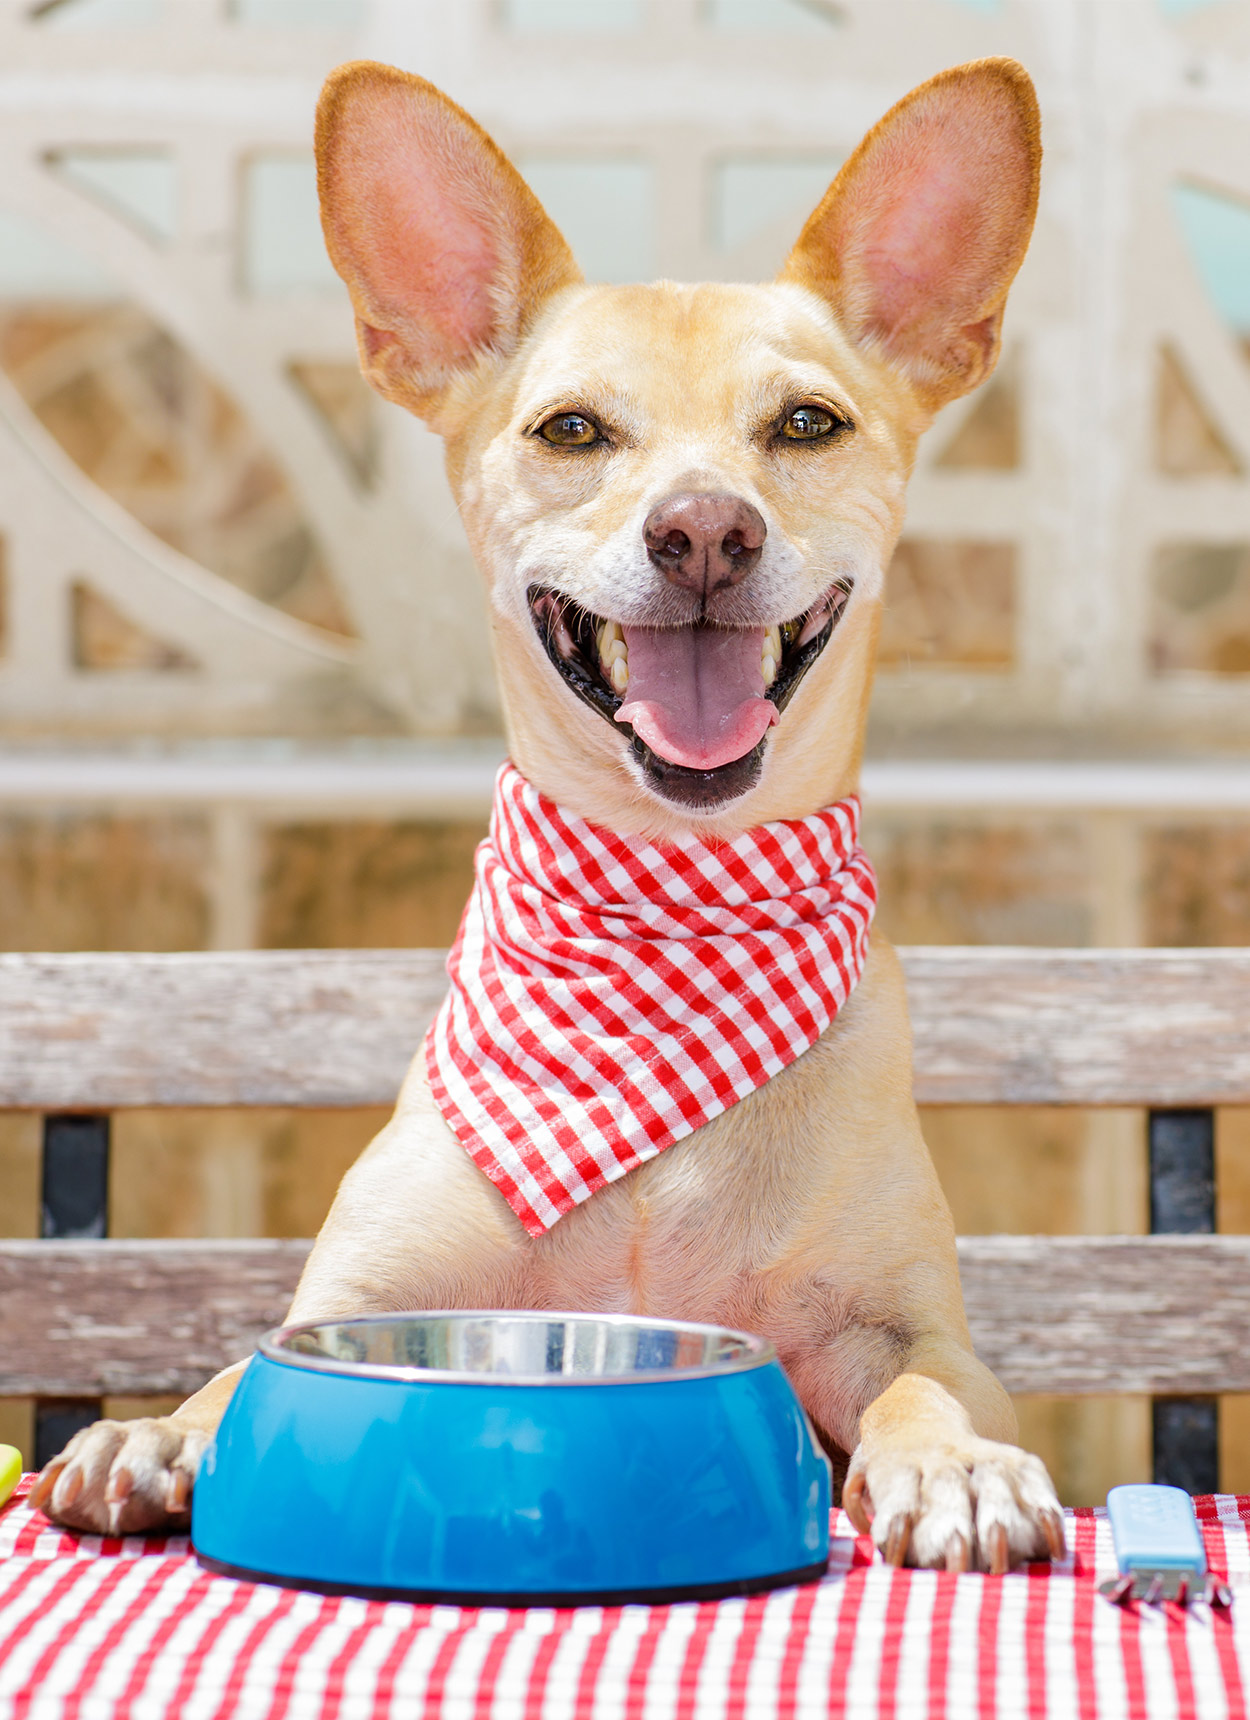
<point x="969" y="1508"/>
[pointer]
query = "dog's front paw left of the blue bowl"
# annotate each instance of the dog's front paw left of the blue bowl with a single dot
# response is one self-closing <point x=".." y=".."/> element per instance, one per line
<point x="123" y="1477"/>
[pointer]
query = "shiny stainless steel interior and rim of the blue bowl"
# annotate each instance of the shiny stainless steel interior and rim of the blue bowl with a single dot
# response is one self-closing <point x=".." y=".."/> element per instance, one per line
<point x="522" y="1349"/>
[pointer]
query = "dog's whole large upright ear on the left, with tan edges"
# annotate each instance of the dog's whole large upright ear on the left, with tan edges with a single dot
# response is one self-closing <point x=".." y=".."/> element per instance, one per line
<point x="444" y="249"/>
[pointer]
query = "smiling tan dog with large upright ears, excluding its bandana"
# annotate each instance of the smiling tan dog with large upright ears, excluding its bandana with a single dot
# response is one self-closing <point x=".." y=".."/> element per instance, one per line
<point x="716" y="464"/>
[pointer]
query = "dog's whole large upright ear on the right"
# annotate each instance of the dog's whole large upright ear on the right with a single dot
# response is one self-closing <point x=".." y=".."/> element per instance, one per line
<point x="919" y="238"/>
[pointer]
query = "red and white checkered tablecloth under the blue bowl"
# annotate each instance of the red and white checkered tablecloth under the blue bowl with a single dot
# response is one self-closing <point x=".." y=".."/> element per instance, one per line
<point x="106" y="1630"/>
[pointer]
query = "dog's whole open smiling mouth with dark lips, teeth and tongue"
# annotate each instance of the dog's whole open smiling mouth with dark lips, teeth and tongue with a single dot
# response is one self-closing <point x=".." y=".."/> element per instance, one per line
<point x="697" y="703"/>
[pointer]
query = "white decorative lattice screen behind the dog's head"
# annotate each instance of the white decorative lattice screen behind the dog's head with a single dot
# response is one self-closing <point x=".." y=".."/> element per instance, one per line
<point x="682" y="135"/>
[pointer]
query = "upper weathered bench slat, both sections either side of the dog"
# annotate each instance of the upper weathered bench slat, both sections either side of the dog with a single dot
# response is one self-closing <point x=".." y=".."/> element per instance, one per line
<point x="334" y="1028"/>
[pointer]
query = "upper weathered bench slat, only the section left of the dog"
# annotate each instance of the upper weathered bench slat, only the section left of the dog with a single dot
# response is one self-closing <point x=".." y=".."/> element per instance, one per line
<point x="317" y="1028"/>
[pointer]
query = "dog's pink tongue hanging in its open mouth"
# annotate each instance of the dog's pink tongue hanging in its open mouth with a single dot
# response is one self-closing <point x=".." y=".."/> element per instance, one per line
<point x="697" y="694"/>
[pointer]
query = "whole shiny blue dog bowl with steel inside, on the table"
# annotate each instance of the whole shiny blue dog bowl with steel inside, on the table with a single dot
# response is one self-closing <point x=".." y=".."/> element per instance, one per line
<point x="517" y="1459"/>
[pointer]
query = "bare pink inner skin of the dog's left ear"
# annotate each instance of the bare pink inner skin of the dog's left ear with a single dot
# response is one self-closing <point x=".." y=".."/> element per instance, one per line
<point x="414" y="230"/>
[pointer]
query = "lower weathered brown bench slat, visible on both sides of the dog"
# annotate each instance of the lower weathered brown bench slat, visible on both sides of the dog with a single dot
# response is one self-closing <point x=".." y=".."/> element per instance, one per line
<point x="1069" y="1315"/>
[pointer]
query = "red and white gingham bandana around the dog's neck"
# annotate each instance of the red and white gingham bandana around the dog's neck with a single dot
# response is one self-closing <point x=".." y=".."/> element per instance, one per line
<point x="611" y="997"/>
